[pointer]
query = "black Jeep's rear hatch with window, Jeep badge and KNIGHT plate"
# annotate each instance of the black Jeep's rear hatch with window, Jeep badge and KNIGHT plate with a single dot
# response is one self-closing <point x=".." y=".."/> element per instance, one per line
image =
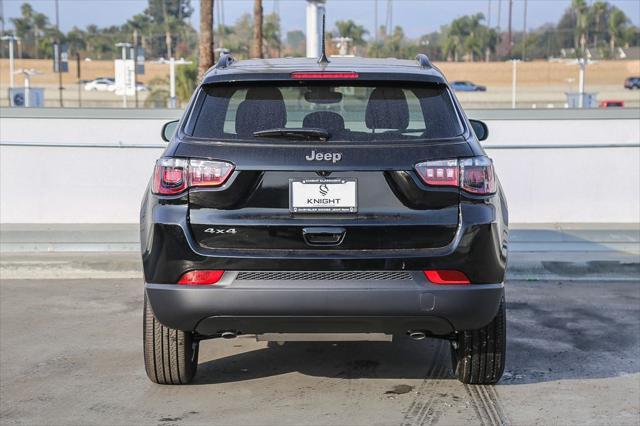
<point x="324" y="166"/>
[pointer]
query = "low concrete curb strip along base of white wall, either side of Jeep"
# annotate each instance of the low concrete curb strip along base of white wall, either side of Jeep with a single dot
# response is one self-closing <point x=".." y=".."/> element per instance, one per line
<point x="569" y="252"/>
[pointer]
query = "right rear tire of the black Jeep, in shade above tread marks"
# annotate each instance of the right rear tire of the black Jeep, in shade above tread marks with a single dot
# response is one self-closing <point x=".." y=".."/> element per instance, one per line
<point x="480" y="354"/>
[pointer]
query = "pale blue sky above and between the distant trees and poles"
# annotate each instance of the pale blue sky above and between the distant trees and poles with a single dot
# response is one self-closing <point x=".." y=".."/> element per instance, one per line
<point x="417" y="17"/>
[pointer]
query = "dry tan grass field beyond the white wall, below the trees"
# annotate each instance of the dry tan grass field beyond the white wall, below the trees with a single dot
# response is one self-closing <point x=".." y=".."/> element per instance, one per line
<point x="540" y="83"/>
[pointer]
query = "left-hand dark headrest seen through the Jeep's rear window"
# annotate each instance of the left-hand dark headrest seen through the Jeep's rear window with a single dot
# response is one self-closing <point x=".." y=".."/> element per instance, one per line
<point x="263" y="108"/>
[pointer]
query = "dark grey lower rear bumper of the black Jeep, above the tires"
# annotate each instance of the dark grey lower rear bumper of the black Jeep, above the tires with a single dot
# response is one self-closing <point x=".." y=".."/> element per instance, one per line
<point x="325" y="307"/>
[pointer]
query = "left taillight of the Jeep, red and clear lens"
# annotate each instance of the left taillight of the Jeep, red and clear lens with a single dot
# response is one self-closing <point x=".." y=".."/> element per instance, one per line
<point x="174" y="175"/>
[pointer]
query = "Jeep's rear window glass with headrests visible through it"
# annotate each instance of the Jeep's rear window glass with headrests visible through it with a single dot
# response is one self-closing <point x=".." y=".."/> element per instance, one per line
<point x="338" y="112"/>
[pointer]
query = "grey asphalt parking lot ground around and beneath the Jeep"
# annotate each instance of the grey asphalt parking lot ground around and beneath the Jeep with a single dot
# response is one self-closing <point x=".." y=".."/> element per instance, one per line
<point x="71" y="354"/>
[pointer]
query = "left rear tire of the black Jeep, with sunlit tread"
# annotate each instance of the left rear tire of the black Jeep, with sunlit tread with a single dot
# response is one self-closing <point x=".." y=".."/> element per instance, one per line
<point x="170" y="356"/>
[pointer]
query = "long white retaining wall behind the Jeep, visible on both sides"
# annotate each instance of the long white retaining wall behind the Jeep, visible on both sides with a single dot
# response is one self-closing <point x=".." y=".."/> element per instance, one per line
<point x="92" y="166"/>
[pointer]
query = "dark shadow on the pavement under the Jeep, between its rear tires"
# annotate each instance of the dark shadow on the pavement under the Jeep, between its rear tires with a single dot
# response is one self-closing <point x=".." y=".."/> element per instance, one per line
<point x="401" y="359"/>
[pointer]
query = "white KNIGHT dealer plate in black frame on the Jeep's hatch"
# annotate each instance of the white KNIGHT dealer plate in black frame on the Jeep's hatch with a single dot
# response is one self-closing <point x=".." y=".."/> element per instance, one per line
<point x="348" y="186"/>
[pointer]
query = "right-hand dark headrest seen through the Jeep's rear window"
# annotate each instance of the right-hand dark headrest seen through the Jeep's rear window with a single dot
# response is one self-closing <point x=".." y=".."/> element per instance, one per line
<point x="387" y="109"/>
